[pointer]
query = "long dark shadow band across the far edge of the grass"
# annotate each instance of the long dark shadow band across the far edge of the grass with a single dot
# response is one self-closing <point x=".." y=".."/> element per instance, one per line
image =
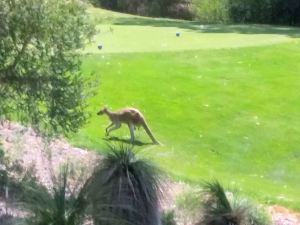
<point x="210" y="28"/>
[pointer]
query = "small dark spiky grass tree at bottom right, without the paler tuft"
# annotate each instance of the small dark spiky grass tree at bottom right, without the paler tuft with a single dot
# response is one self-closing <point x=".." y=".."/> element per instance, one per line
<point x="218" y="210"/>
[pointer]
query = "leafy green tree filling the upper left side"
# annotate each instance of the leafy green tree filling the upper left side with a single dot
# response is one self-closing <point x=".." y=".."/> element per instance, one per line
<point x="40" y="79"/>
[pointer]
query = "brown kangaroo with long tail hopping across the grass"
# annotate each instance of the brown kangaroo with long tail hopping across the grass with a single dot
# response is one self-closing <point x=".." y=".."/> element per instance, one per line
<point x="130" y="116"/>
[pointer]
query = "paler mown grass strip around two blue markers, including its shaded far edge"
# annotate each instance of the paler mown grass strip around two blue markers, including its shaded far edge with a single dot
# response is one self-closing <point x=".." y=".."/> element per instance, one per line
<point x="121" y="33"/>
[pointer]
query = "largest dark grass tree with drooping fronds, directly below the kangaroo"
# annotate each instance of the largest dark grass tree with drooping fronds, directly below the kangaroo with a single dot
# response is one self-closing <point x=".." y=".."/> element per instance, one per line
<point x="127" y="188"/>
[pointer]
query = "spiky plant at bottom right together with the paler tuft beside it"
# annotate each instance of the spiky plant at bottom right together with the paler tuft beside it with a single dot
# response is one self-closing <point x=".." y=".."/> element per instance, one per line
<point x="220" y="209"/>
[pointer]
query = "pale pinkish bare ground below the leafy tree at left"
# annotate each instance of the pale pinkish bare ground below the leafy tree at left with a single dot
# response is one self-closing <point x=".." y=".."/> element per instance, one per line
<point x="22" y="144"/>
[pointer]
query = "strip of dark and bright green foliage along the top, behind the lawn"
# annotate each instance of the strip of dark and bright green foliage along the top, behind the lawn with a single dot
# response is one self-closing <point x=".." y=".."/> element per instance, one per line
<point x="213" y="11"/>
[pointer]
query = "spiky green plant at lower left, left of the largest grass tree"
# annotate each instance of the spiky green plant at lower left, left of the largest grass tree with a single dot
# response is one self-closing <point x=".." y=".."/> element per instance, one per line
<point x="56" y="206"/>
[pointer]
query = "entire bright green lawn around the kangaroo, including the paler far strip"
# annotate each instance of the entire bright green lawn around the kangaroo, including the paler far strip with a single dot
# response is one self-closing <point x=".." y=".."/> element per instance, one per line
<point x="223" y="100"/>
